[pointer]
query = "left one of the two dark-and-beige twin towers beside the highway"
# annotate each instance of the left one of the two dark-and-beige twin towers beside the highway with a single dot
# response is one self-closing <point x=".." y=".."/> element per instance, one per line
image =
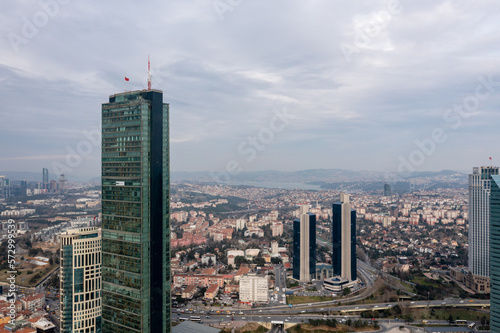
<point x="304" y="245"/>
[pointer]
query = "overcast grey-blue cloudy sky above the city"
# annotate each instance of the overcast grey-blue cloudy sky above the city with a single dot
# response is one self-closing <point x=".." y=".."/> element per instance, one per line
<point x="286" y="85"/>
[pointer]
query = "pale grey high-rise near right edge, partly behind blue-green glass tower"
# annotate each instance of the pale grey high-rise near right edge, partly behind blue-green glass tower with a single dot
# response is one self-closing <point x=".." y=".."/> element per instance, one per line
<point x="479" y="220"/>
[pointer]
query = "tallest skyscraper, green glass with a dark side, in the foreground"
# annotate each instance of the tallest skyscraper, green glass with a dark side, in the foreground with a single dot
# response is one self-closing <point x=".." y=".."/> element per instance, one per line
<point x="135" y="213"/>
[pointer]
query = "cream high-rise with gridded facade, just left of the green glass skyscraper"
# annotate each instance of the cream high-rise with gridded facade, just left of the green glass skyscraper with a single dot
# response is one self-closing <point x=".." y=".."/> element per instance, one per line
<point x="80" y="281"/>
